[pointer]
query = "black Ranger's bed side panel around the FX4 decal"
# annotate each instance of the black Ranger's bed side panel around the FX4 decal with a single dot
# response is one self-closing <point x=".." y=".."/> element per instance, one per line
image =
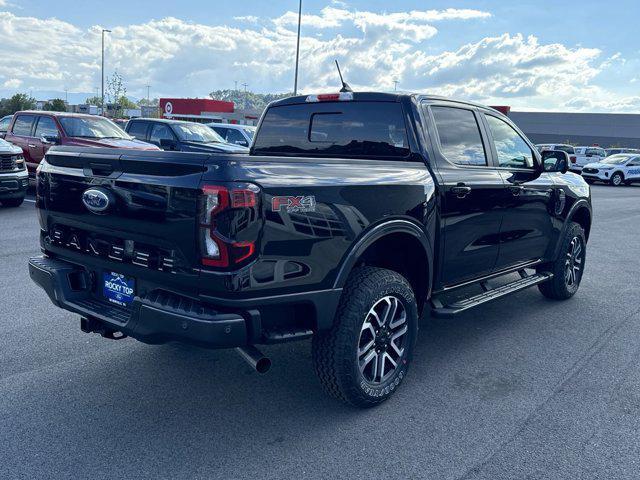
<point x="302" y="250"/>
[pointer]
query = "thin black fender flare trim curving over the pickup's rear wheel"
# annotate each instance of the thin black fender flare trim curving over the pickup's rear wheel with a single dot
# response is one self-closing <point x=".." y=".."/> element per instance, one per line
<point x="377" y="232"/>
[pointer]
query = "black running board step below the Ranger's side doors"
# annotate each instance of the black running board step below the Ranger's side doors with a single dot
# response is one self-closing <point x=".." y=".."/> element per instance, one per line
<point x="442" y="310"/>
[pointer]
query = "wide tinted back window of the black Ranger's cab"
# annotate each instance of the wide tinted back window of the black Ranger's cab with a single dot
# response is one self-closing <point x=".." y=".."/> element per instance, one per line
<point x="336" y="129"/>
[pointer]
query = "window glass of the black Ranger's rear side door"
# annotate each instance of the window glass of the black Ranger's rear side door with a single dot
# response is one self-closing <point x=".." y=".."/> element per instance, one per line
<point x="459" y="134"/>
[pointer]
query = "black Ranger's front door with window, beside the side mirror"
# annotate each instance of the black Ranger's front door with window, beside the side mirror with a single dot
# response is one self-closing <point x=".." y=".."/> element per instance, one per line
<point x="529" y="198"/>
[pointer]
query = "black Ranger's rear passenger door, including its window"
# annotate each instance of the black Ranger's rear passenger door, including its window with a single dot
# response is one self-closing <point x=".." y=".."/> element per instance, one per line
<point x="470" y="192"/>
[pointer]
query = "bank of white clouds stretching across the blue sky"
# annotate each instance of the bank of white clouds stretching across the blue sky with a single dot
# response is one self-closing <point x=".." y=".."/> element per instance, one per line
<point x="190" y="59"/>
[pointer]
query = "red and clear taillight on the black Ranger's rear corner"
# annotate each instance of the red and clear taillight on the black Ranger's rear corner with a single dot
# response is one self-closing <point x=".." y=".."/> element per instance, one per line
<point x="230" y="224"/>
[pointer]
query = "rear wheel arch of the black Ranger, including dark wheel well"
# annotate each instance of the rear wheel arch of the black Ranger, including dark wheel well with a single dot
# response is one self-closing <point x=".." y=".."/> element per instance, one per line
<point x="413" y="256"/>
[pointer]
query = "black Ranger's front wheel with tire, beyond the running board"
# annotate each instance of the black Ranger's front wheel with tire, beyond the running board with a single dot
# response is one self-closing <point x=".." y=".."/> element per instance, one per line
<point x="568" y="268"/>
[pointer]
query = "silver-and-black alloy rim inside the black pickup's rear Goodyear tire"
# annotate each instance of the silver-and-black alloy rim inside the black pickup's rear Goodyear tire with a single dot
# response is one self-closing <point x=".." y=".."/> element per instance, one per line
<point x="381" y="344"/>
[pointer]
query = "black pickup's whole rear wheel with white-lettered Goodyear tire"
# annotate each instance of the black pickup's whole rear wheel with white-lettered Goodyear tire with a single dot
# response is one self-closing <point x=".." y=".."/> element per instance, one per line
<point x="364" y="357"/>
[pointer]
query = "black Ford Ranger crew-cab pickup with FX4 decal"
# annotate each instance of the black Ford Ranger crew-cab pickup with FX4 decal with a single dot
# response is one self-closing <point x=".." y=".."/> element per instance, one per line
<point x="352" y="215"/>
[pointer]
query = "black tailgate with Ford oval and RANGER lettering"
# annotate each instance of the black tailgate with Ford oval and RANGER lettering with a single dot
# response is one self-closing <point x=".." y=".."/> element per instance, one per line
<point x="130" y="212"/>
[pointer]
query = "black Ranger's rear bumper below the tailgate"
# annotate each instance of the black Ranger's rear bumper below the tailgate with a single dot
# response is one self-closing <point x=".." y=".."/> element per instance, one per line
<point x="161" y="316"/>
